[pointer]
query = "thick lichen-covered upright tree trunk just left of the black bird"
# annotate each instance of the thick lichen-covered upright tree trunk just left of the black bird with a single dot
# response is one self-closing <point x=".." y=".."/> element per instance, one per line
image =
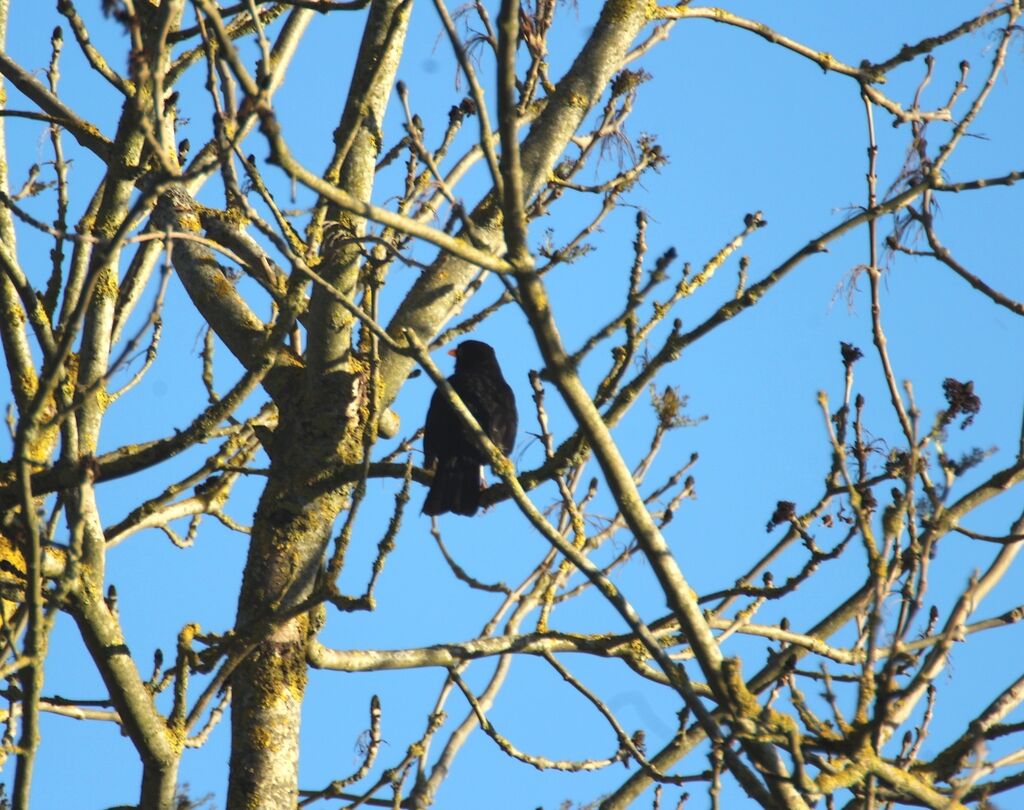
<point x="320" y="427"/>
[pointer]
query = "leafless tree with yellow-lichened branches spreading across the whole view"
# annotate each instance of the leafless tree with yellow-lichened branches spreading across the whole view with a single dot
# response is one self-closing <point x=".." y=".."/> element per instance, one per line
<point x="815" y="708"/>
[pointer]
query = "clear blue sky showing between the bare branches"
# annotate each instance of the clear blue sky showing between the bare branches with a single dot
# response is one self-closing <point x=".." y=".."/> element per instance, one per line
<point x="747" y="127"/>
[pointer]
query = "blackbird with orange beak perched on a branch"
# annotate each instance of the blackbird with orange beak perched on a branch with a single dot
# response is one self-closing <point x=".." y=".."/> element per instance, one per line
<point x="448" y="445"/>
